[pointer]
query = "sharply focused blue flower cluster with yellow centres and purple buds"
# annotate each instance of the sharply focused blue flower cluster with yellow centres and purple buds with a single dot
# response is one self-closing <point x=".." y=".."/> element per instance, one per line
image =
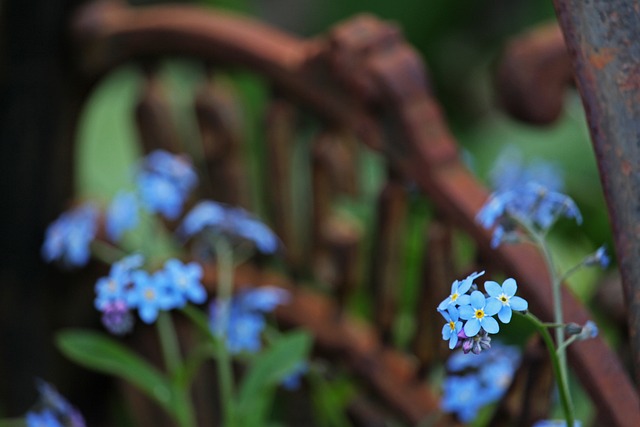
<point x="467" y="303"/>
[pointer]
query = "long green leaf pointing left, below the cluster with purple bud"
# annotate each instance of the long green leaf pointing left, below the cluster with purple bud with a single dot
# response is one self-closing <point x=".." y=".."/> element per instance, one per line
<point x="104" y="354"/>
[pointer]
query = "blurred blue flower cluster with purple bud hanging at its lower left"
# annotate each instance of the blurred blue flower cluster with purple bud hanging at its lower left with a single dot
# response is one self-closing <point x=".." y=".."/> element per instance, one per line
<point x="128" y="287"/>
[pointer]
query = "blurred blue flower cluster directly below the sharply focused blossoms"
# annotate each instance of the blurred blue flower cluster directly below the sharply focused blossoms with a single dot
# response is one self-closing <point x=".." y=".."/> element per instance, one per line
<point x="476" y="381"/>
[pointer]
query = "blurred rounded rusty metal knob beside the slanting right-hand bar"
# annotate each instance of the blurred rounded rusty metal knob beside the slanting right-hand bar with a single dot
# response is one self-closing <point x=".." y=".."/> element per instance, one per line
<point x="533" y="74"/>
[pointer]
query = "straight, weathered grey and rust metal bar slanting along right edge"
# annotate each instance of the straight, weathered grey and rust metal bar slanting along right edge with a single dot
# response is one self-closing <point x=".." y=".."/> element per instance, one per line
<point x="603" y="41"/>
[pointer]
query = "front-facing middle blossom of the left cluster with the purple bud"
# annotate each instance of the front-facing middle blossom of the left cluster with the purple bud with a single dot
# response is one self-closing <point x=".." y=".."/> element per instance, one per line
<point x="150" y="294"/>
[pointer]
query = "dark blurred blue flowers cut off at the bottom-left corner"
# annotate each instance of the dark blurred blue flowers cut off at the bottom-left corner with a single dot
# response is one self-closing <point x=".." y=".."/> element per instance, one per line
<point x="53" y="410"/>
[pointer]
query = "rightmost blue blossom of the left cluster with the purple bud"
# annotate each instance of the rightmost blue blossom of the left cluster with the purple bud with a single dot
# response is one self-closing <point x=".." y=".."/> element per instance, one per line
<point x="185" y="280"/>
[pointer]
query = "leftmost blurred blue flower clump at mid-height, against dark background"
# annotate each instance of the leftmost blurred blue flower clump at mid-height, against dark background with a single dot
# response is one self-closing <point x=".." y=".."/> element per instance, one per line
<point x="68" y="238"/>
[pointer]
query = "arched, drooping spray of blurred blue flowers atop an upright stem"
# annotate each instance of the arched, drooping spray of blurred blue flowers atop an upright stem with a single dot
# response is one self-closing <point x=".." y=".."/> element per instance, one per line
<point x="229" y="221"/>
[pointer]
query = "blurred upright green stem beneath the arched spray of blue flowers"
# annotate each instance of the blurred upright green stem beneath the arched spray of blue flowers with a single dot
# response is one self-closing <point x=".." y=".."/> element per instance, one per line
<point x="224" y="257"/>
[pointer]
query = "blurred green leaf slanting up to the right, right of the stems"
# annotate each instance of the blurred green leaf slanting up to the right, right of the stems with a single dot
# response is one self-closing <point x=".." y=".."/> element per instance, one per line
<point x="271" y="366"/>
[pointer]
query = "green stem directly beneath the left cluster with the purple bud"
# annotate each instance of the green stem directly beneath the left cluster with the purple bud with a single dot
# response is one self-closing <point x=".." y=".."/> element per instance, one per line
<point x="181" y="405"/>
